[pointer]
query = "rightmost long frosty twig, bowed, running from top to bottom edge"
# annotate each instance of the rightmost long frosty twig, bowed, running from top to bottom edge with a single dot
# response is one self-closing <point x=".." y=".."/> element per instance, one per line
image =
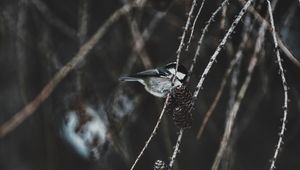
<point x="285" y="88"/>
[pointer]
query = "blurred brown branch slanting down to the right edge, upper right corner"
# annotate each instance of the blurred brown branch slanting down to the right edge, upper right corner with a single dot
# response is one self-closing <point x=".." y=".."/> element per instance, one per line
<point x="287" y="52"/>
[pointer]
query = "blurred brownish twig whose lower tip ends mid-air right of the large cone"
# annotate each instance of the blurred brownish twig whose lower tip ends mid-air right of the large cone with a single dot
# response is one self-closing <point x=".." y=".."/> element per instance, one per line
<point x="232" y="64"/>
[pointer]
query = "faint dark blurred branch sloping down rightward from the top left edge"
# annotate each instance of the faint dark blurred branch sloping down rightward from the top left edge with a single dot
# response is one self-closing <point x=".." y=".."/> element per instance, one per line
<point x="55" y="21"/>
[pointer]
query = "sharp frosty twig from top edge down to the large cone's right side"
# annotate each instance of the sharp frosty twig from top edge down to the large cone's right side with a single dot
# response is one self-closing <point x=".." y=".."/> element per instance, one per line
<point x="220" y="46"/>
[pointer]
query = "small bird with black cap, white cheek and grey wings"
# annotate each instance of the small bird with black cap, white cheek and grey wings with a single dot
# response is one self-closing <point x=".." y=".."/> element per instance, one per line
<point x="158" y="81"/>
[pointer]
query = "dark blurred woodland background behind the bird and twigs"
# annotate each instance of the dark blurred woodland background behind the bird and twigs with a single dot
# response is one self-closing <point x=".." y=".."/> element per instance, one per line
<point x="92" y="121"/>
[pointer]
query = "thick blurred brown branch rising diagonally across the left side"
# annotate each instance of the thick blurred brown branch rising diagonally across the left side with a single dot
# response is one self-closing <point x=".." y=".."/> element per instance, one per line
<point x="29" y="109"/>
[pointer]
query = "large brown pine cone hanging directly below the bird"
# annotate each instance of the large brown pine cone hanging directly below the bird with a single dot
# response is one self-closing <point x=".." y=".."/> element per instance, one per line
<point x="180" y="106"/>
